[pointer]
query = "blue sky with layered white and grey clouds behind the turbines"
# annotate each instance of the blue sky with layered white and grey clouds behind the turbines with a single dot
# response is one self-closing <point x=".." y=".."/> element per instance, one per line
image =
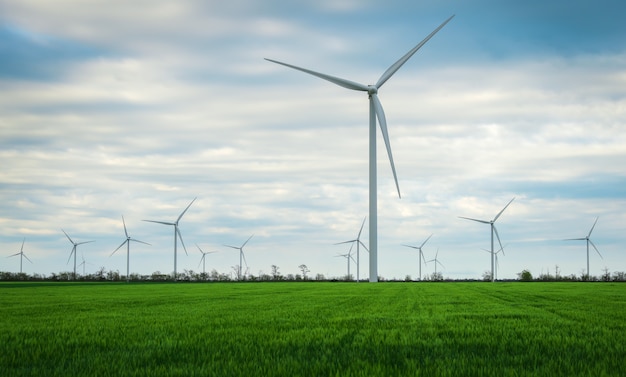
<point x="118" y="108"/>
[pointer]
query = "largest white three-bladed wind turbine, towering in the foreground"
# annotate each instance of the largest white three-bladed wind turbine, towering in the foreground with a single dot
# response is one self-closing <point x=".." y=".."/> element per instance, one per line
<point x="375" y="111"/>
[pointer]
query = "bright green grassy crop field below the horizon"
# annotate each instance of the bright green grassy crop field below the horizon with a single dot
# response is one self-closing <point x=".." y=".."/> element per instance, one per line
<point x="313" y="329"/>
